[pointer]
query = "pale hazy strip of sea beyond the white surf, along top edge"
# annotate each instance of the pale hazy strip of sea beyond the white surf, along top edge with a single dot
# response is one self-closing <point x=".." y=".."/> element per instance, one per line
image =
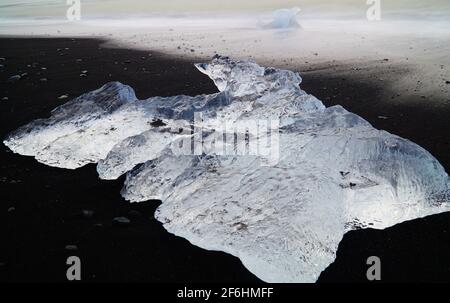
<point x="38" y="9"/>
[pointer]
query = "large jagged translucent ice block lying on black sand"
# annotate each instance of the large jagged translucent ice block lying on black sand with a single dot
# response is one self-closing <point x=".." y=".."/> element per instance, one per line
<point x="261" y="169"/>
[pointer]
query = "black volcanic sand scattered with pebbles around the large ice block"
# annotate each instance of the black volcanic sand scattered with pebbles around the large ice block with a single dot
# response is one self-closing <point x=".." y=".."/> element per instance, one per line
<point x="48" y="201"/>
